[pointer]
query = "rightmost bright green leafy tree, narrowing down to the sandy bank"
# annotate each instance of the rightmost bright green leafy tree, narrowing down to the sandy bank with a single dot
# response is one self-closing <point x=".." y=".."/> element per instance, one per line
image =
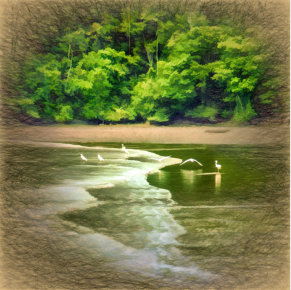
<point x="239" y="71"/>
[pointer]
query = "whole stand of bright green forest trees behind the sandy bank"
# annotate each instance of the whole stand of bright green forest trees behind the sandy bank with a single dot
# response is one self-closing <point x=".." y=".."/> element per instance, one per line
<point x="148" y="64"/>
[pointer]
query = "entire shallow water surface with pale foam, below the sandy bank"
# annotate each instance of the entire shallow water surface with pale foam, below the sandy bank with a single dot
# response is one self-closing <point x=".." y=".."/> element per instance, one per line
<point x="134" y="222"/>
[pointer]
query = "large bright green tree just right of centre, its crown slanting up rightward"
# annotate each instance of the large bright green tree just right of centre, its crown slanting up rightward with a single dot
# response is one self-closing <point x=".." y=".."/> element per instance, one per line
<point x="182" y="77"/>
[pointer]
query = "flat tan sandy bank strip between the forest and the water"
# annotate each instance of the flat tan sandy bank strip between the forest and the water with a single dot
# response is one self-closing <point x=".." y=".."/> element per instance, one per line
<point x="149" y="134"/>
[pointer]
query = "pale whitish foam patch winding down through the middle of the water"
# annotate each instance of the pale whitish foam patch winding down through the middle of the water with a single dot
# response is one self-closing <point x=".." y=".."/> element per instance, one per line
<point x="136" y="231"/>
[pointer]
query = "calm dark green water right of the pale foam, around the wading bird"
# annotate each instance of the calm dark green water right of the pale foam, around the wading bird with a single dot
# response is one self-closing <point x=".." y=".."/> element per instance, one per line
<point x="235" y="222"/>
